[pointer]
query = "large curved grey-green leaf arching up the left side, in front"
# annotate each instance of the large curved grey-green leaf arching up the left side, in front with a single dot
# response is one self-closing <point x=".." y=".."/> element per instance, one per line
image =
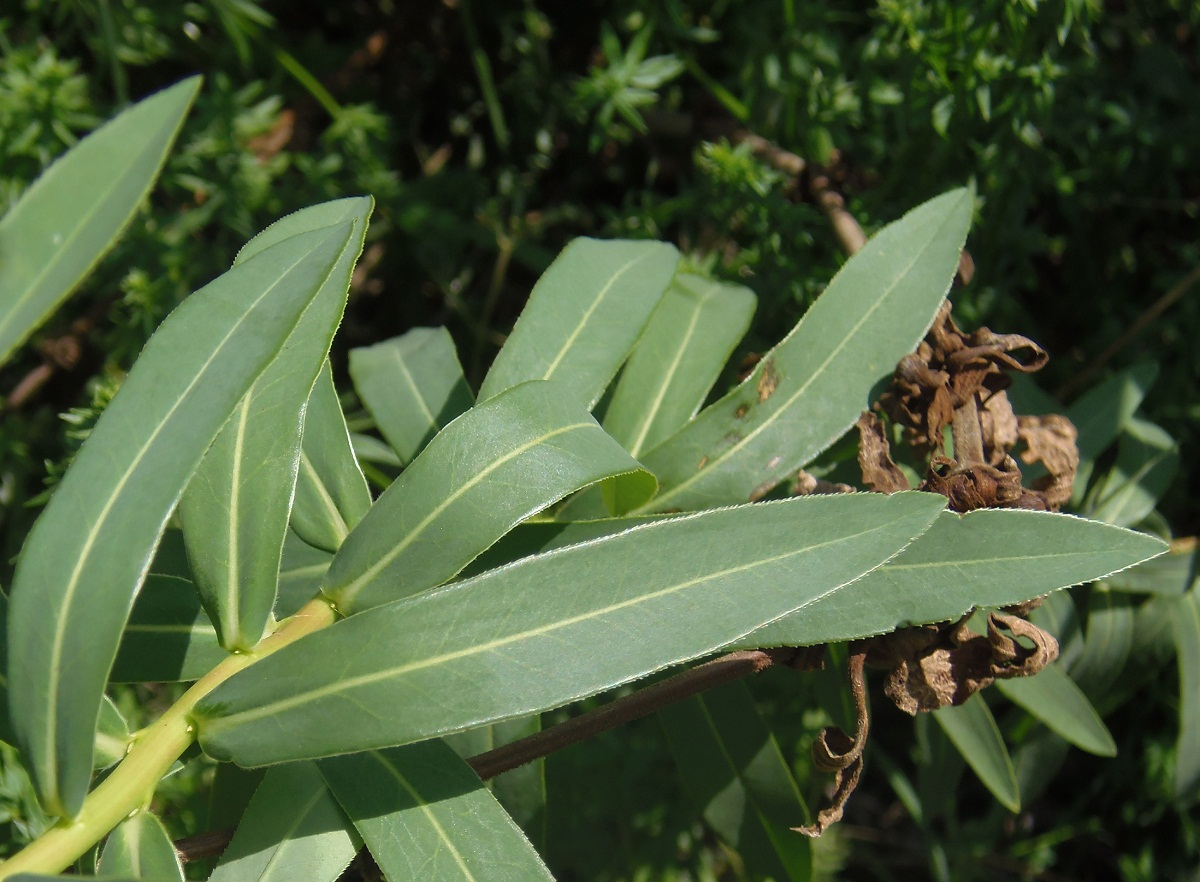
<point x="89" y="550"/>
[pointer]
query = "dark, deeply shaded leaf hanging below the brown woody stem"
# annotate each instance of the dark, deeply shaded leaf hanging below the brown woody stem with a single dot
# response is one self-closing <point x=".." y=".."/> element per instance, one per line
<point x="735" y="772"/>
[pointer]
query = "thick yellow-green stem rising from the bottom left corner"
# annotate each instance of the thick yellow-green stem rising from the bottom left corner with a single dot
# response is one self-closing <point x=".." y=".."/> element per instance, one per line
<point x="133" y="784"/>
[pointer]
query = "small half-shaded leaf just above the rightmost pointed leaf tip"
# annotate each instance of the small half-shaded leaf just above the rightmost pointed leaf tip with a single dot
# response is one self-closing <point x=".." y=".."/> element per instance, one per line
<point x="1148" y="459"/>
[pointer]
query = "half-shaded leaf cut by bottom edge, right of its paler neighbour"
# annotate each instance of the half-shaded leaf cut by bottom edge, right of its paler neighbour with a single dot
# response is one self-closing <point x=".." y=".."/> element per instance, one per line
<point x="425" y="815"/>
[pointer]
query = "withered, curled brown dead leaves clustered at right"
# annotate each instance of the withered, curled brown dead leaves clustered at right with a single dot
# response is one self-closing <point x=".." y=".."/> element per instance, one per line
<point x="950" y="400"/>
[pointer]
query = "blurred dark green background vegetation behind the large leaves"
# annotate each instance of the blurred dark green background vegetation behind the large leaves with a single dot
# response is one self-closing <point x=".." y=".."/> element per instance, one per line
<point x="493" y="134"/>
